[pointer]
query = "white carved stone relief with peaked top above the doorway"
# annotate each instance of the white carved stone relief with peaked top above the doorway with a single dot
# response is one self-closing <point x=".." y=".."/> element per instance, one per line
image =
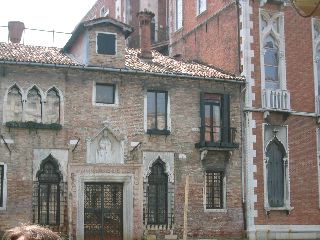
<point x="113" y="152"/>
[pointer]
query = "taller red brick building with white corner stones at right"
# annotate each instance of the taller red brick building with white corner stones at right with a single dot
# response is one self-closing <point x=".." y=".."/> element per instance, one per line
<point x="277" y="51"/>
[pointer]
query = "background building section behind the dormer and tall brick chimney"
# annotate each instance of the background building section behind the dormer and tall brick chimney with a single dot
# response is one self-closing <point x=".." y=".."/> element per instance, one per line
<point x="126" y="11"/>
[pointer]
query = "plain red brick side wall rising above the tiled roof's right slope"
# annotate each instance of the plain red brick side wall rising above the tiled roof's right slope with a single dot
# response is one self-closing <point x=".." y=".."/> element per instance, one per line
<point x="211" y="37"/>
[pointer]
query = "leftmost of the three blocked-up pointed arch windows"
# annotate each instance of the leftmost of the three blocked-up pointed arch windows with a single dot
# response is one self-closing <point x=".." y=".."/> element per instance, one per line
<point x="14" y="104"/>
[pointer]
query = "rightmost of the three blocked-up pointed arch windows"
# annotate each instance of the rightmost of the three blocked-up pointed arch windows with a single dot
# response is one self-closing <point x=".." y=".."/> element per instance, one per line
<point x="52" y="106"/>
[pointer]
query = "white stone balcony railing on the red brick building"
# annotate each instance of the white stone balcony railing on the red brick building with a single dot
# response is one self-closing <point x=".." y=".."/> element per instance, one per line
<point x="276" y="99"/>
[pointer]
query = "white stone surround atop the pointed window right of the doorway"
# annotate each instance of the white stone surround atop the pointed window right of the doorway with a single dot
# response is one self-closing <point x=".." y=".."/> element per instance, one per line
<point x="150" y="157"/>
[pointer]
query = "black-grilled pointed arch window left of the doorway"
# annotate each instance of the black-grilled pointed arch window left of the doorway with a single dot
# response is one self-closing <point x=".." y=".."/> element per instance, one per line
<point x="49" y="200"/>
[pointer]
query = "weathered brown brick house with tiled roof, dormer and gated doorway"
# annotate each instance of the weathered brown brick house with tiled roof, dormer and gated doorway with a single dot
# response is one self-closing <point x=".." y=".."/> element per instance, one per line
<point x="98" y="140"/>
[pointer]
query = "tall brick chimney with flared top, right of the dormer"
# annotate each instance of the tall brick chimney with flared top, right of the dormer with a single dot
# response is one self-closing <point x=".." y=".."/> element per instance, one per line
<point x="145" y="18"/>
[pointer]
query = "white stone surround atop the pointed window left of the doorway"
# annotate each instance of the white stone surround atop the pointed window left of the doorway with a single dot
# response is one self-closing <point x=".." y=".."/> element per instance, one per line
<point x="60" y="155"/>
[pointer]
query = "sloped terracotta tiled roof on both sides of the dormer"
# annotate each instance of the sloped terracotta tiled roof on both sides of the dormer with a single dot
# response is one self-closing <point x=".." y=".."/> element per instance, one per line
<point x="159" y="64"/>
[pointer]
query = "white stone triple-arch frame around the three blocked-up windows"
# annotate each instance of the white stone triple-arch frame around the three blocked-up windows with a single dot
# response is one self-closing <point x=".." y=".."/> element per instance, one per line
<point x="43" y="95"/>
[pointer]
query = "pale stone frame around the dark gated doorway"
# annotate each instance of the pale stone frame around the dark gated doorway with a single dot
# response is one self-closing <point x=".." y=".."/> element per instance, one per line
<point x="126" y="179"/>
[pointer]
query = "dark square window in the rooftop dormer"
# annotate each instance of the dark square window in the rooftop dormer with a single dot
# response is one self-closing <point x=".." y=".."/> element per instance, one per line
<point x="106" y="43"/>
